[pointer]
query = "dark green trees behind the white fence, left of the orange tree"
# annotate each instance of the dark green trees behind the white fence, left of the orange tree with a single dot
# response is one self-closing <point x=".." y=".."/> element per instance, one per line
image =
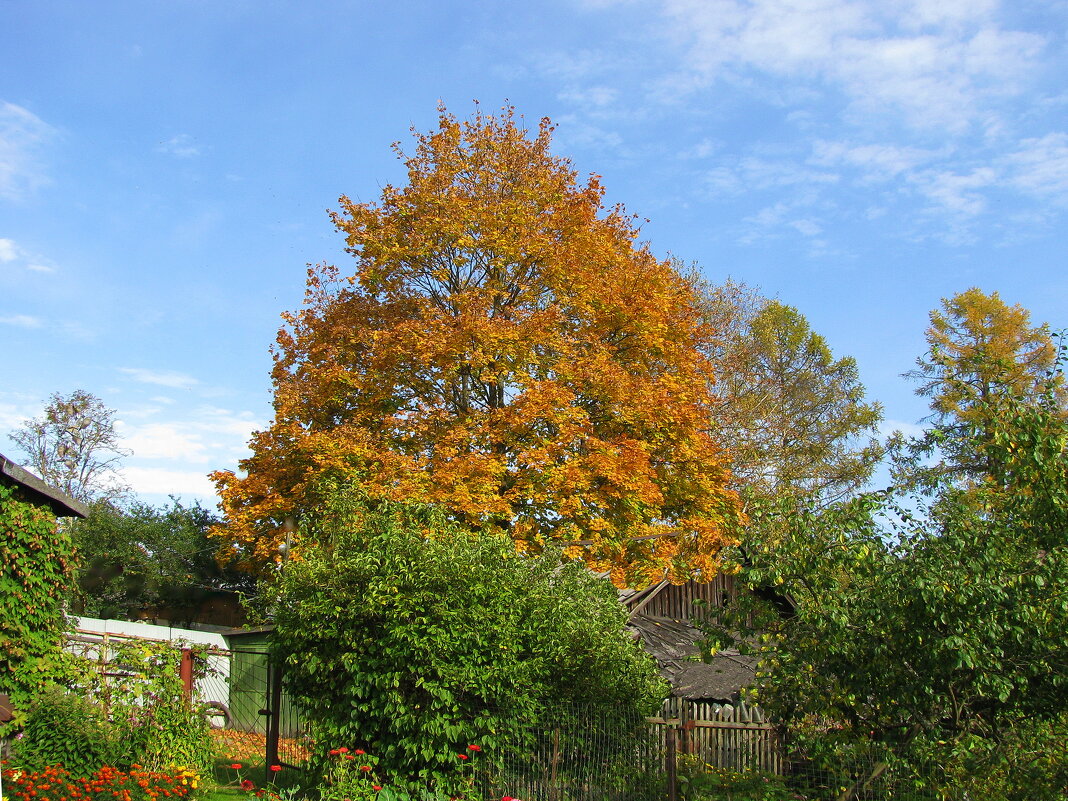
<point x="146" y="560"/>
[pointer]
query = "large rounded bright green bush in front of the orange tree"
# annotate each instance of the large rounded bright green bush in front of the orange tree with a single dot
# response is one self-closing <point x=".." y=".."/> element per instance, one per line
<point x="413" y="638"/>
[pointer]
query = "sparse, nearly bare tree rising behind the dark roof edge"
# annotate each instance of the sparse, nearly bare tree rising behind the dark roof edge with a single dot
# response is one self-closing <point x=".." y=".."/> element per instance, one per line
<point x="75" y="448"/>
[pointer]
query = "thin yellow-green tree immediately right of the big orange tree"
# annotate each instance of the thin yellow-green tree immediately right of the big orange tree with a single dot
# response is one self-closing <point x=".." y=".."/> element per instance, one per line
<point x="794" y="418"/>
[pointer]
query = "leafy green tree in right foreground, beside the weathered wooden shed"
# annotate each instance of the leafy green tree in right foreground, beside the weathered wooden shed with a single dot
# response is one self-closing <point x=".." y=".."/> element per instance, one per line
<point x="939" y="646"/>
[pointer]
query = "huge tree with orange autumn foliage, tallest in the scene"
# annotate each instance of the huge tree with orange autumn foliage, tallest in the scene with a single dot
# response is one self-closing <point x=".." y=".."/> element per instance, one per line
<point x="502" y="348"/>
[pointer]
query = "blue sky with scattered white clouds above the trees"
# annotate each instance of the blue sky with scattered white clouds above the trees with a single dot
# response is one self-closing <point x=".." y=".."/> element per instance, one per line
<point x="166" y="170"/>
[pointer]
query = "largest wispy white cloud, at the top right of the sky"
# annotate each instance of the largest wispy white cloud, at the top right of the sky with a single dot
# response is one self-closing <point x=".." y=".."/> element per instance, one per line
<point x="932" y="66"/>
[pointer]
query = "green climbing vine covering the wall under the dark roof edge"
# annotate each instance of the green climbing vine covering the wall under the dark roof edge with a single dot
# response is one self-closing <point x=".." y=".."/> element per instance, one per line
<point x="36" y="559"/>
